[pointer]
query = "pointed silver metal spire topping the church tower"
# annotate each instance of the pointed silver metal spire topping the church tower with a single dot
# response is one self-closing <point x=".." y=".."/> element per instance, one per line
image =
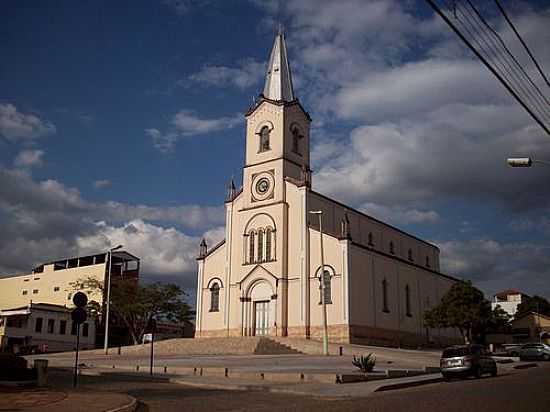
<point x="278" y="80"/>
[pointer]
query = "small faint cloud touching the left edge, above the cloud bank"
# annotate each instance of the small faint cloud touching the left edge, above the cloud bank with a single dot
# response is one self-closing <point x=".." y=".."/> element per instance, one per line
<point x="15" y="125"/>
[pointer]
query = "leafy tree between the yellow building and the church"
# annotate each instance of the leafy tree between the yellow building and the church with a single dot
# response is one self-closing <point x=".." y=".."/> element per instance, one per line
<point x="136" y="304"/>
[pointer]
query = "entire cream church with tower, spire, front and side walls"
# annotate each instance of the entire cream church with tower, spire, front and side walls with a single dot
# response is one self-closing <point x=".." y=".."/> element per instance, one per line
<point x="264" y="277"/>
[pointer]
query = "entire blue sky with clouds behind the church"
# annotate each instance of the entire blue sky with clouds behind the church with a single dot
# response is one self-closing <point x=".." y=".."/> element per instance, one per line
<point x="122" y="123"/>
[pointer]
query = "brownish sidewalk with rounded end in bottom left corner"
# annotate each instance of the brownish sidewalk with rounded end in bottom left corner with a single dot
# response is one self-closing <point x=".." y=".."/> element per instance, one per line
<point x="50" y="400"/>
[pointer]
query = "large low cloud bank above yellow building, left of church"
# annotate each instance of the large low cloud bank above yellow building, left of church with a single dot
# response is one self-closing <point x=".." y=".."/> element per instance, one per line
<point x="45" y="220"/>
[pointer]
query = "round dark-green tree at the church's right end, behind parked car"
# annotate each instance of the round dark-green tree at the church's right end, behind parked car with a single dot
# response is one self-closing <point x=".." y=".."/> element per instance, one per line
<point x="463" y="307"/>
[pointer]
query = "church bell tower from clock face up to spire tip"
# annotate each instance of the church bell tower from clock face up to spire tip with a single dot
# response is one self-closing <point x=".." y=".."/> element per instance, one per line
<point x="277" y="132"/>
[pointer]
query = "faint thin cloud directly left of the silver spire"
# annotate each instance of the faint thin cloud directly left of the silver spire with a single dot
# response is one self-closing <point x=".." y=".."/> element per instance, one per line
<point x="248" y="73"/>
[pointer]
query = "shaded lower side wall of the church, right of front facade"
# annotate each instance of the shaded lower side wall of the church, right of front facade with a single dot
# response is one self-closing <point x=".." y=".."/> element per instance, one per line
<point x="392" y="323"/>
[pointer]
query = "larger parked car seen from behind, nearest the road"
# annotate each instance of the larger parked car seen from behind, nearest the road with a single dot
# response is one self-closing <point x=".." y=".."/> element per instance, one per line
<point x="466" y="360"/>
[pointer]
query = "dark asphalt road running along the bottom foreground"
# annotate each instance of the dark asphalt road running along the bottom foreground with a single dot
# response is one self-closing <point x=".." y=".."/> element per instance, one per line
<point x="525" y="390"/>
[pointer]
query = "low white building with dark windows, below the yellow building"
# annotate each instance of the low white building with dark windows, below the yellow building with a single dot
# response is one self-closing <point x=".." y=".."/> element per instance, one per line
<point x="44" y="327"/>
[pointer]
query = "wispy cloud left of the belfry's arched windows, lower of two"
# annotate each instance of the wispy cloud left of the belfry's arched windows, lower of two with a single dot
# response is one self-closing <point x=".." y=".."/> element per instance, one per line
<point x="186" y="123"/>
